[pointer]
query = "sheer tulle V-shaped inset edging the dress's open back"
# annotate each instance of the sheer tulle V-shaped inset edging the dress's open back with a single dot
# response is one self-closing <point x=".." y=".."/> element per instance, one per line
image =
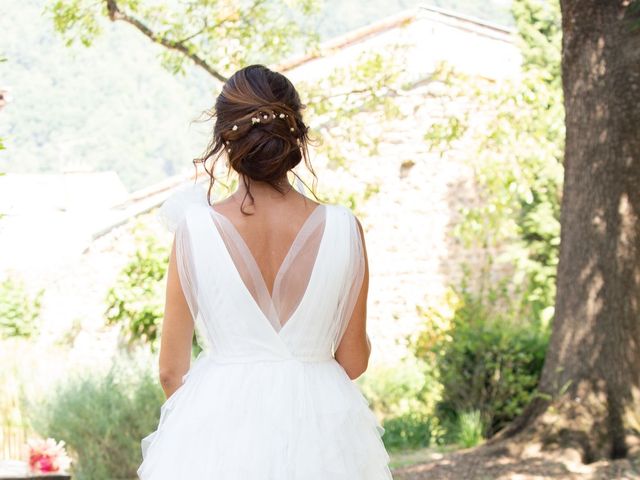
<point x="292" y="276"/>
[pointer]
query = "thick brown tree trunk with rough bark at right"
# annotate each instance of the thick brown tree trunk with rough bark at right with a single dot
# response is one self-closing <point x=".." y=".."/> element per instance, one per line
<point x="591" y="378"/>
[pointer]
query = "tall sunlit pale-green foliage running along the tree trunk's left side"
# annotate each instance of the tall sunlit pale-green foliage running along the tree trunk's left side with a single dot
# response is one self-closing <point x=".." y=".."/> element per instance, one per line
<point x="517" y="161"/>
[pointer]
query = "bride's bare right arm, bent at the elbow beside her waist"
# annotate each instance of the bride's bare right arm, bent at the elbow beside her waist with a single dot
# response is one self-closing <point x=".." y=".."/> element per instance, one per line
<point x="355" y="348"/>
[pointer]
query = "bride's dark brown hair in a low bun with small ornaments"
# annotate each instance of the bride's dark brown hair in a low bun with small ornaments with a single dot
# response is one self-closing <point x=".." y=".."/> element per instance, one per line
<point x="260" y="127"/>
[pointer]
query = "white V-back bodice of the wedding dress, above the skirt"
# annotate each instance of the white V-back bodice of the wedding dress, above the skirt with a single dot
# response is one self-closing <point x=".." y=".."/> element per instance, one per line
<point x="236" y="319"/>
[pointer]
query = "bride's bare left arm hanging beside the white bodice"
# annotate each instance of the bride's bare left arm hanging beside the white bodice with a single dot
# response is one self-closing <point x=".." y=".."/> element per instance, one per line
<point x="177" y="331"/>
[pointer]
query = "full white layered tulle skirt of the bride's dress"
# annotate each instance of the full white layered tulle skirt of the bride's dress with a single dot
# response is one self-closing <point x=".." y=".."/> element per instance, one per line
<point x="284" y="420"/>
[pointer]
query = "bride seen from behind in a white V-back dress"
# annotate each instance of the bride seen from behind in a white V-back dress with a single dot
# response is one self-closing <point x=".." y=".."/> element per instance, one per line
<point x="275" y="286"/>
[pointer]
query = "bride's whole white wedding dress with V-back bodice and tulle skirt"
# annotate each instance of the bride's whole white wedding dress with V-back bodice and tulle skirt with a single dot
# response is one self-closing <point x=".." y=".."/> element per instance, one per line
<point x="265" y="400"/>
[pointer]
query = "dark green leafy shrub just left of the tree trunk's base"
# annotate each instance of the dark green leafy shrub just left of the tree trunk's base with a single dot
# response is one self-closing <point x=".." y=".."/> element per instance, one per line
<point x="488" y="357"/>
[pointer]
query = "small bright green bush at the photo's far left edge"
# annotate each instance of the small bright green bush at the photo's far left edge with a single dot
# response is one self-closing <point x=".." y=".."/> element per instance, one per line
<point x="19" y="311"/>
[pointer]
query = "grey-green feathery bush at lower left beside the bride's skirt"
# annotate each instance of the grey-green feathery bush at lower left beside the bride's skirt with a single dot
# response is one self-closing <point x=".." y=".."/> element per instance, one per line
<point x="102" y="418"/>
